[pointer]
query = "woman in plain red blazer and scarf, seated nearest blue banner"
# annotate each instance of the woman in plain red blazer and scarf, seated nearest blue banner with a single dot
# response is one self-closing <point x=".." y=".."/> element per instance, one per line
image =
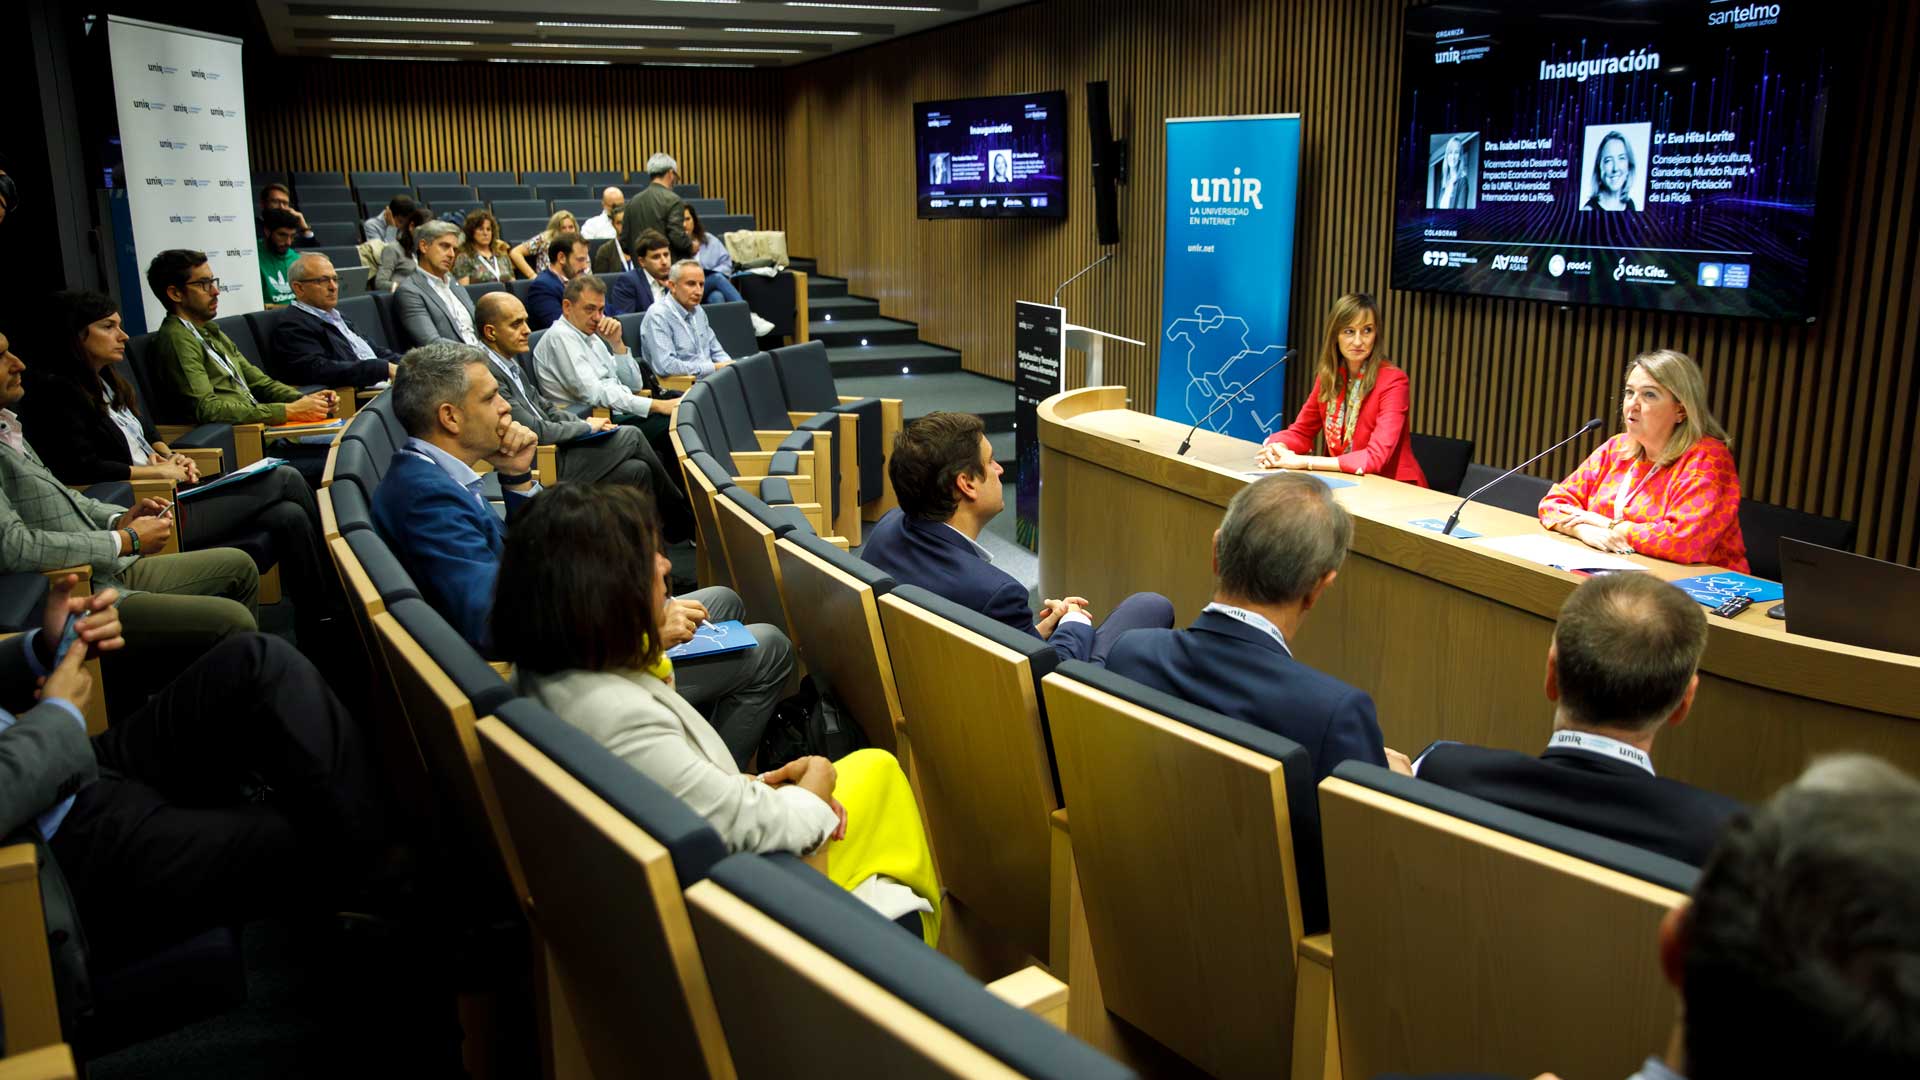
<point x="1358" y="403"/>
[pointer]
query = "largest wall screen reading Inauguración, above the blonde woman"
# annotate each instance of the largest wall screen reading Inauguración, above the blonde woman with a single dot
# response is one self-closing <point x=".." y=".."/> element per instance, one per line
<point x="1633" y="153"/>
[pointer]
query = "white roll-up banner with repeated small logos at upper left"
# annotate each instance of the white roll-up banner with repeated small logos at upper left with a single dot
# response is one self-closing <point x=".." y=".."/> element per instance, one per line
<point x="183" y="145"/>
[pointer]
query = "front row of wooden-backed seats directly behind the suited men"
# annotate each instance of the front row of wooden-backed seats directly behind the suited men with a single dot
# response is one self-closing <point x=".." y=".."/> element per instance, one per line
<point x="1180" y="871"/>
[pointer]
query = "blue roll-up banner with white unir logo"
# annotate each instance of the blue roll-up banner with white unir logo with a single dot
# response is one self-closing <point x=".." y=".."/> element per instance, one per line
<point x="1230" y="270"/>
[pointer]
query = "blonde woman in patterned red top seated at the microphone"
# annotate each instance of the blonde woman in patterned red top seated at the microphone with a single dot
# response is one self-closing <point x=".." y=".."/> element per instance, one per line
<point x="1668" y="485"/>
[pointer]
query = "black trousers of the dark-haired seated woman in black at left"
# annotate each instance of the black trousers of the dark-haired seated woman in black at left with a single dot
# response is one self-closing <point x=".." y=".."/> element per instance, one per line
<point x="279" y="504"/>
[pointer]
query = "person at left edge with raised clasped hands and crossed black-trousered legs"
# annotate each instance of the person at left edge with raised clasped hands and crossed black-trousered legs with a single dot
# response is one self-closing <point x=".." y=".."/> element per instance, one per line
<point x="237" y="793"/>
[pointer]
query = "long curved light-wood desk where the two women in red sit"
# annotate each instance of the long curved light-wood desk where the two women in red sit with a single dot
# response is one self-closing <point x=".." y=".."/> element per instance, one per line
<point x="1447" y="635"/>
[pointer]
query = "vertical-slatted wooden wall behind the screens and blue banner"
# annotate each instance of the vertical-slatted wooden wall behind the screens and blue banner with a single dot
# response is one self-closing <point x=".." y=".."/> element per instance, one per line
<point x="1825" y="418"/>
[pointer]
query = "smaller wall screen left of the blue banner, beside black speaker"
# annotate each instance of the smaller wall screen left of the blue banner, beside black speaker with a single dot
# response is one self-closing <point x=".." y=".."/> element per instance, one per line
<point x="994" y="157"/>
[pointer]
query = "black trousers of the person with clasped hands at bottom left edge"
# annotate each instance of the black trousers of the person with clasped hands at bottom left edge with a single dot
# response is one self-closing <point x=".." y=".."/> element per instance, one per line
<point x="239" y="791"/>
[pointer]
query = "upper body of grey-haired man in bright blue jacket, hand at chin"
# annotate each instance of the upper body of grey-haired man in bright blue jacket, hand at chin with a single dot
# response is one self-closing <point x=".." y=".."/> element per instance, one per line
<point x="429" y="506"/>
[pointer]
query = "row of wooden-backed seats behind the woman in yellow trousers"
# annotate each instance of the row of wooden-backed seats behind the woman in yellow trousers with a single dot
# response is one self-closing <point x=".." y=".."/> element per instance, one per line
<point x="683" y="970"/>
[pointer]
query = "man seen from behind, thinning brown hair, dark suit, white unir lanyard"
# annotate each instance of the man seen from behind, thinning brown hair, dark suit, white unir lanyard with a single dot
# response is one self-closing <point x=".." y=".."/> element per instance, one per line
<point x="1623" y="666"/>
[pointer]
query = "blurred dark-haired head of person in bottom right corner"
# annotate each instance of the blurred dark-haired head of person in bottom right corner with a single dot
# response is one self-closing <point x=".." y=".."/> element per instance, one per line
<point x="1798" y="952"/>
